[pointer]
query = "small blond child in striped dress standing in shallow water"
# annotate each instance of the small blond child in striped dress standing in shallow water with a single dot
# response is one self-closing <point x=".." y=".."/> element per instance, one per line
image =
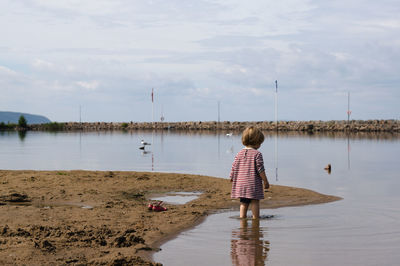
<point x="248" y="173"/>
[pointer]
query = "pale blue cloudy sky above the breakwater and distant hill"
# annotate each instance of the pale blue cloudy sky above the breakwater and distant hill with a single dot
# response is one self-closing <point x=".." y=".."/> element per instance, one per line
<point x="99" y="60"/>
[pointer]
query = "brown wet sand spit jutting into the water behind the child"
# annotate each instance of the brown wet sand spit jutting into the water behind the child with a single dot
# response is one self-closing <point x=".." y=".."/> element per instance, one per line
<point x="101" y="218"/>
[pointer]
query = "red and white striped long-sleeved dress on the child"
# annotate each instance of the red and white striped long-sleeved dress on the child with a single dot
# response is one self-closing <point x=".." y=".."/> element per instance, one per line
<point x="245" y="174"/>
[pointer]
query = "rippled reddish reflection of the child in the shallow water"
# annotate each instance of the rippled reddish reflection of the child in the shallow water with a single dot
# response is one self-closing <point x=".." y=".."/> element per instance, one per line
<point x="247" y="244"/>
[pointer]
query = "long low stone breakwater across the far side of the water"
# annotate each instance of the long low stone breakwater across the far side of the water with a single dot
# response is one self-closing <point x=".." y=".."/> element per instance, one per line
<point x="304" y="126"/>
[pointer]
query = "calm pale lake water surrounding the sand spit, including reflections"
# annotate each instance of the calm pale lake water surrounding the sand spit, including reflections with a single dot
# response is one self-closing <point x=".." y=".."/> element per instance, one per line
<point x="361" y="229"/>
